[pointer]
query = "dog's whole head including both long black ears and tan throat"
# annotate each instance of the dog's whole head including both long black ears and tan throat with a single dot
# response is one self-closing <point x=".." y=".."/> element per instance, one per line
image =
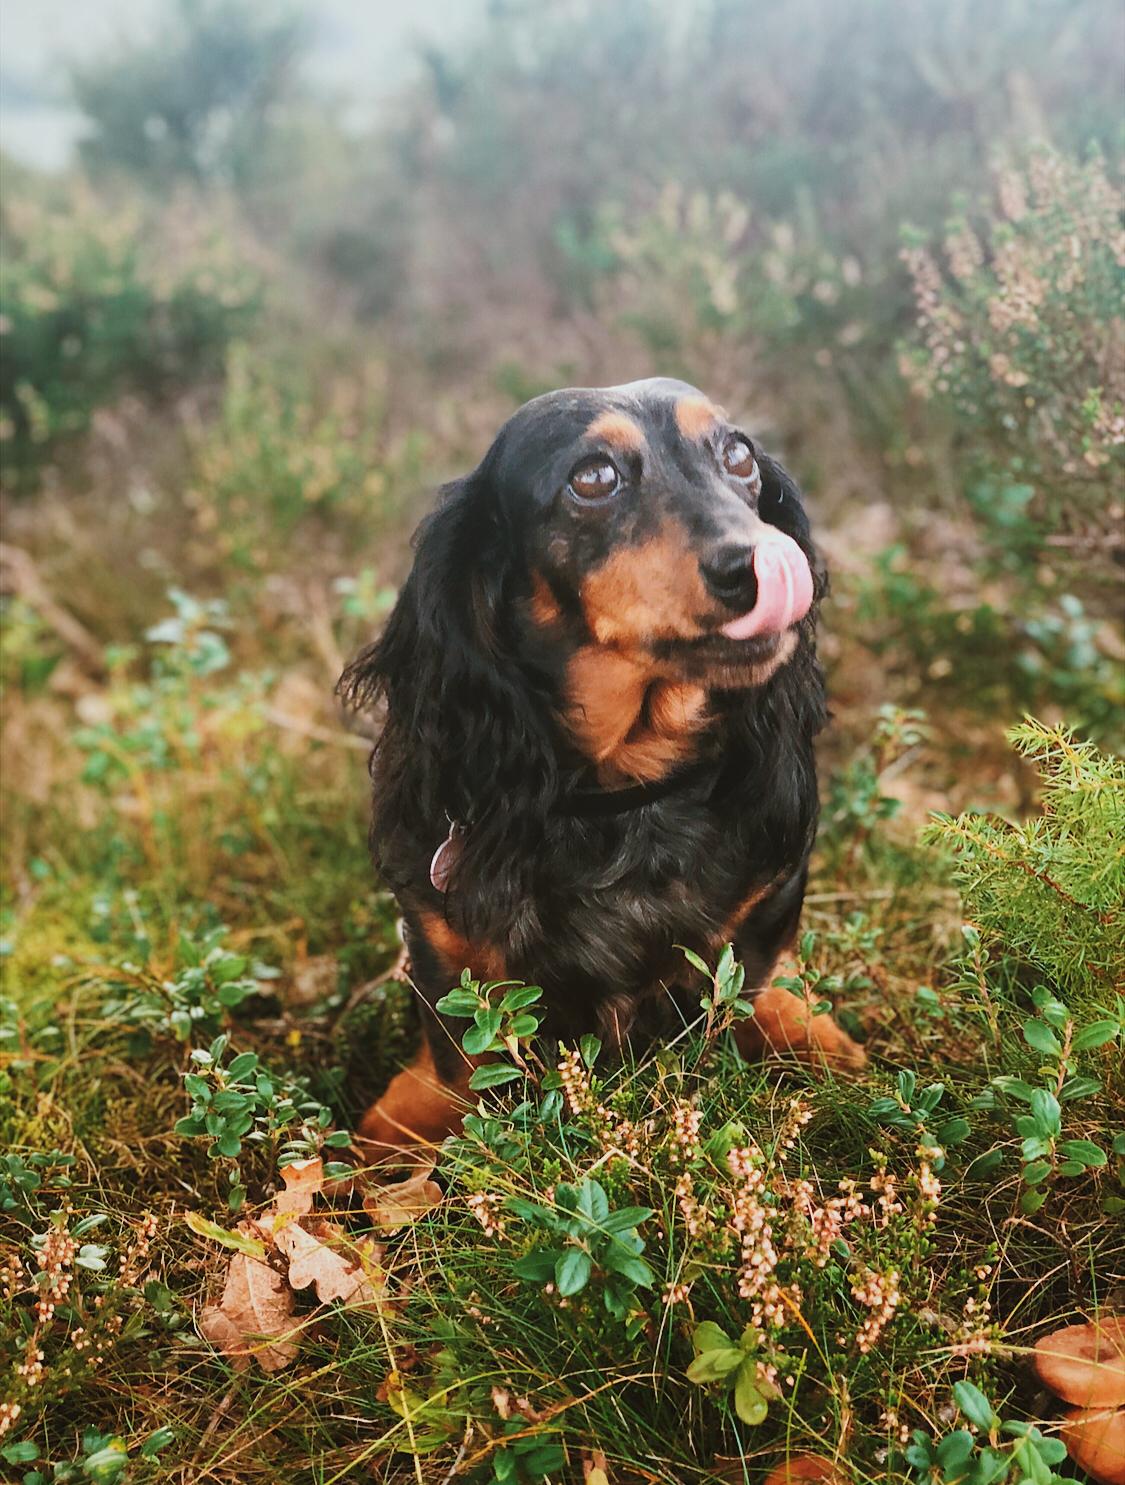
<point x="620" y="561"/>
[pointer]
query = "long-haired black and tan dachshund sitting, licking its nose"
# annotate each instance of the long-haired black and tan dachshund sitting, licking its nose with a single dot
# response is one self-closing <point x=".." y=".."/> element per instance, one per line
<point x="602" y="697"/>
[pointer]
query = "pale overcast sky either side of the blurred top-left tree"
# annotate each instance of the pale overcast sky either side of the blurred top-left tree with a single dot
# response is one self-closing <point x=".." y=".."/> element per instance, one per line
<point x="360" y="48"/>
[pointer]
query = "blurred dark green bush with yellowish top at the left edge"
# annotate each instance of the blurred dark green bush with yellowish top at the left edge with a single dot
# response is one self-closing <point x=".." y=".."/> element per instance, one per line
<point x="93" y="307"/>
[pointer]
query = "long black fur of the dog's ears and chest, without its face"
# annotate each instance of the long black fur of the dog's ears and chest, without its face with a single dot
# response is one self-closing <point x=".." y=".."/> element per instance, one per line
<point x="590" y="908"/>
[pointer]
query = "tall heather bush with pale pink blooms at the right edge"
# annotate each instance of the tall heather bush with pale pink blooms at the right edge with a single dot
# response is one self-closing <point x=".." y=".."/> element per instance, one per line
<point x="1020" y="324"/>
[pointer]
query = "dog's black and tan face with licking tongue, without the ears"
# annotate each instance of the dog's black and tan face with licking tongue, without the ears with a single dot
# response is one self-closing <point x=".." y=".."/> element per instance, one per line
<point x="645" y="522"/>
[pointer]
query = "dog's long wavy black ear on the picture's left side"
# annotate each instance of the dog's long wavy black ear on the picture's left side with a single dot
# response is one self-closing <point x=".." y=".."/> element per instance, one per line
<point x="468" y="733"/>
